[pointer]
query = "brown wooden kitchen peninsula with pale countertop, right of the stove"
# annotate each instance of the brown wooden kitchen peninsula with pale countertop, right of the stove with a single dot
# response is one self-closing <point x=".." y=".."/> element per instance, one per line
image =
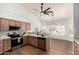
<point x="37" y="41"/>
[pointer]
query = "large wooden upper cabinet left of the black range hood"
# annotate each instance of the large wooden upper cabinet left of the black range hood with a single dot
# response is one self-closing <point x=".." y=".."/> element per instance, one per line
<point x="4" y="24"/>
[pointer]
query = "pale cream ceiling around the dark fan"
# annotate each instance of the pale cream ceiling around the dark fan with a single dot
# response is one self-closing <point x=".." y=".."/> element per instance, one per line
<point x="61" y="10"/>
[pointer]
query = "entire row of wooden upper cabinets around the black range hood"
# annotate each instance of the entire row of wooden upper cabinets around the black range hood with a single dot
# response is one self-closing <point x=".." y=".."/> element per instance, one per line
<point x="5" y="23"/>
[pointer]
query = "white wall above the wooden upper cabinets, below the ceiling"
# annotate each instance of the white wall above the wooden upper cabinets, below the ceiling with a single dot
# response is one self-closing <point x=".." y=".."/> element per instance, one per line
<point x="17" y="12"/>
